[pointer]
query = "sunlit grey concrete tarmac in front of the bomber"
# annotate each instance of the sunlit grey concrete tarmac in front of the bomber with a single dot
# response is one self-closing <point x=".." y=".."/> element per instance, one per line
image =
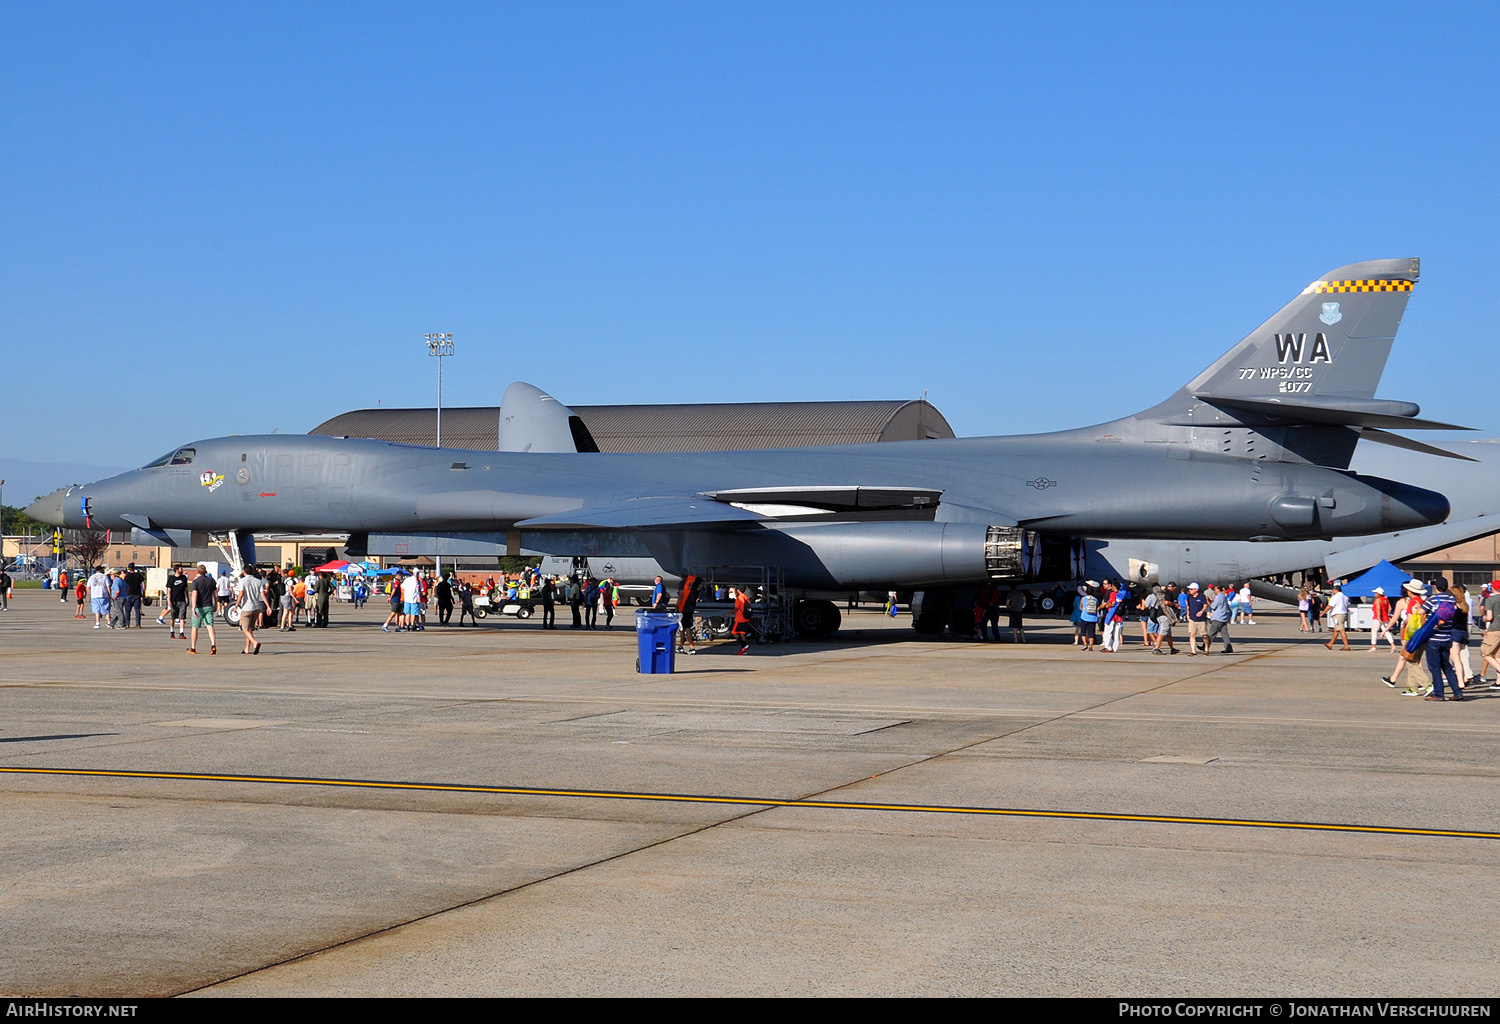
<point x="118" y="885"/>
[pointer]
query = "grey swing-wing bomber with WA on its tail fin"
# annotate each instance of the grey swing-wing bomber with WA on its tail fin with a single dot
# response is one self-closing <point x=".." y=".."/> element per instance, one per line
<point x="1253" y="449"/>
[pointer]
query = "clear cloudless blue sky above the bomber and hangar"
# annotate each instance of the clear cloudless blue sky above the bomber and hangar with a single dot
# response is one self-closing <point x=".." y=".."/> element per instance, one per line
<point x="242" y="218"/>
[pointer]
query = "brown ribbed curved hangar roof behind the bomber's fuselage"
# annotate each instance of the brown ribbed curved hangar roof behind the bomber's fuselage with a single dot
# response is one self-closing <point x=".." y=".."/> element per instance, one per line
<point x="668" y="428"/>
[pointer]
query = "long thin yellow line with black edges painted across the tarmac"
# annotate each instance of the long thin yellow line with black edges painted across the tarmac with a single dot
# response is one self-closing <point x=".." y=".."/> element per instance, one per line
<point x="692" y="798"/>
